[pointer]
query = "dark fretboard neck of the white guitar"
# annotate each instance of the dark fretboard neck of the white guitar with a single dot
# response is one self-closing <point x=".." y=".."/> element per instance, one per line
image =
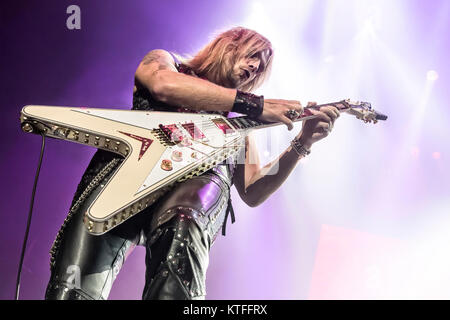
<point x="246" y="123"/>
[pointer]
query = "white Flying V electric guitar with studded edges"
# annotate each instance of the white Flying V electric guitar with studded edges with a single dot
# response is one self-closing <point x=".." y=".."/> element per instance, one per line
<point x="159" y="148"/>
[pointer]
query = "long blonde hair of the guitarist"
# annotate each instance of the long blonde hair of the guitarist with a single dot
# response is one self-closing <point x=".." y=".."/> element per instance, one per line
<point x="209" y="62"/>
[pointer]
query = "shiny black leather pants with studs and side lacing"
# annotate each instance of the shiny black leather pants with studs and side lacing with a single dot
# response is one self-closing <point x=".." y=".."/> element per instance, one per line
<point x="177" y="232"/>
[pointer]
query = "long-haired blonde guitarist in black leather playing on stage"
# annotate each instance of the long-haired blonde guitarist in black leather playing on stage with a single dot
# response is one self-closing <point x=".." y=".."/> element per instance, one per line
<point x="179" y="229"/>
